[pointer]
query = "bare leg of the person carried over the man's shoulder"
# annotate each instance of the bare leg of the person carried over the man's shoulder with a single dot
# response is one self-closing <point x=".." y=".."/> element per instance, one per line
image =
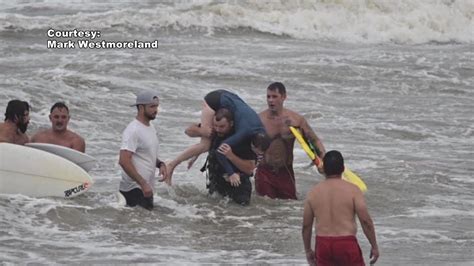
<point x="207" y="116"/>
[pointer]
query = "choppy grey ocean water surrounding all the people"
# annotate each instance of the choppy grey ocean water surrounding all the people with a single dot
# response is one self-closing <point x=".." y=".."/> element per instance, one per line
<point x="388" y="83"/>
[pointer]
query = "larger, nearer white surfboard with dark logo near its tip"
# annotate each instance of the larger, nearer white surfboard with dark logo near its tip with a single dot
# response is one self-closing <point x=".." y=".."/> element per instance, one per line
<point x="37" y="173"/>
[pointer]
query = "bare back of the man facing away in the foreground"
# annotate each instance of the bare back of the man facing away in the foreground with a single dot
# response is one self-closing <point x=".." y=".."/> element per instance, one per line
<point x="333" y="203"/>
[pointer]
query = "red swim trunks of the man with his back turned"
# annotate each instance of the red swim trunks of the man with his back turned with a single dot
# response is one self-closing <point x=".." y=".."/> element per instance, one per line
<point x="338" y="250"/>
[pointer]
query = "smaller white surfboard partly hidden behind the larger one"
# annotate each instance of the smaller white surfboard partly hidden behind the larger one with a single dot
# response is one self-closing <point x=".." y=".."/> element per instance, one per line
<point x="85" y="161"/>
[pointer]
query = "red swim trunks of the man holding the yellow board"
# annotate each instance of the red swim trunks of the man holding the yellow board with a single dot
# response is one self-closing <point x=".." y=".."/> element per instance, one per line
<point x="279" y="184"/>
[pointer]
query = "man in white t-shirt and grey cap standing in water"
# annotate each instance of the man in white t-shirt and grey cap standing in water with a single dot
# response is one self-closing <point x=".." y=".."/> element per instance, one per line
<point x="139" y="154"/>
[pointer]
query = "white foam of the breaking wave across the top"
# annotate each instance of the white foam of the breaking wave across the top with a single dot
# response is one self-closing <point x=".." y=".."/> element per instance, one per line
<point x="372" y="21"/>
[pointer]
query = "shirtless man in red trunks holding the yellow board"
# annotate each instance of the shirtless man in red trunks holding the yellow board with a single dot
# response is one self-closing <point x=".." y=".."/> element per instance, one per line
<point x="275" y="177"/>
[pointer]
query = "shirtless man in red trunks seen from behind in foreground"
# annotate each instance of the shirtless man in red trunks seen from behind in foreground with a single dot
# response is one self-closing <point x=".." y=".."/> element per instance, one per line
<point x="332" y="205"/>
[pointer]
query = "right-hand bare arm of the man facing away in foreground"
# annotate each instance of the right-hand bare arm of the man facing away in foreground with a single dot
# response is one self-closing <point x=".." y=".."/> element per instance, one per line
<point x="367" y="224"/>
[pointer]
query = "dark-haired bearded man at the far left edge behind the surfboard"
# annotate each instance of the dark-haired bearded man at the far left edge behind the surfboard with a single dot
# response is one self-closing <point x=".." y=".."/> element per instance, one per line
<point x="17" y="117"/>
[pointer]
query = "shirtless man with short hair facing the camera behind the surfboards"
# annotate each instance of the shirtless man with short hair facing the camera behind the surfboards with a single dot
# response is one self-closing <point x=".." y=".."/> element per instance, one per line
<point x="59" y="134"/>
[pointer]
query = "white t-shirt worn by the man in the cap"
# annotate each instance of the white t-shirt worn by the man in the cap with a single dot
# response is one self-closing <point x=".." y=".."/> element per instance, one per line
<point x="143" y="142"/>
